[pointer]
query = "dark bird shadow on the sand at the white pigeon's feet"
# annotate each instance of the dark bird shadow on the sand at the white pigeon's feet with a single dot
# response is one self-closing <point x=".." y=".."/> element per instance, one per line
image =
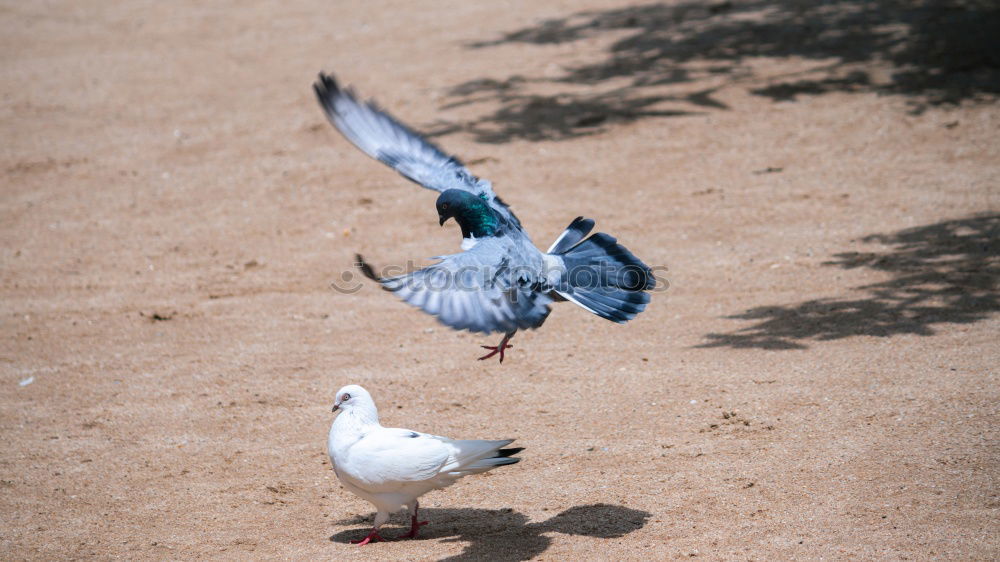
<point x="506" y="535"/>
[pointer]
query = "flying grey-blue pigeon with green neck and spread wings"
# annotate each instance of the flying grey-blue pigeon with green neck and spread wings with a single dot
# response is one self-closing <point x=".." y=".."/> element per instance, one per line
<point x="500" y="282"/>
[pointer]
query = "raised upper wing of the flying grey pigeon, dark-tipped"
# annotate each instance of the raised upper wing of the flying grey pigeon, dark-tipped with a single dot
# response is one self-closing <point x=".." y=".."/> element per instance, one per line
<point x="382" y="137"/>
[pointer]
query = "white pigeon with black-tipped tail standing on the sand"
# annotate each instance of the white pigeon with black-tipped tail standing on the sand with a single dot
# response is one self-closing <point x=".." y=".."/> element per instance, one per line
<point x="393" y="467"/>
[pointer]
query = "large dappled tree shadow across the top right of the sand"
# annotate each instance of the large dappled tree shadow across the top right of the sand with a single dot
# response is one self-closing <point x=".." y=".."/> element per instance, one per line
<point x="669" y="59"/>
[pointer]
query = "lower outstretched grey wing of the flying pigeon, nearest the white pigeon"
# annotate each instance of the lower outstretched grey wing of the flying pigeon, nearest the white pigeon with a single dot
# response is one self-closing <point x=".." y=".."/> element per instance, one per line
<point x="481" y="290"/>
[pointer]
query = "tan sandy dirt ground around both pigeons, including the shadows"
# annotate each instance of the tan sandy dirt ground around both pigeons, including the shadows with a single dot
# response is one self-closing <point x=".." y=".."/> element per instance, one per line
<point x="819" y="381"/>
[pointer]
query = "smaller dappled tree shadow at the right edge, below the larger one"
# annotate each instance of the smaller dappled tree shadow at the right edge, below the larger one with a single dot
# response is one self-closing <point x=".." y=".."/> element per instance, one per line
<point x="944" y="273"/>
